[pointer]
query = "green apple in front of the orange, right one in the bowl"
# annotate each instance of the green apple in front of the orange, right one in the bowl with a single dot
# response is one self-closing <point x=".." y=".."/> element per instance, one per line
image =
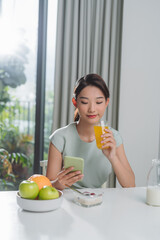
<point x="48" y="192"/>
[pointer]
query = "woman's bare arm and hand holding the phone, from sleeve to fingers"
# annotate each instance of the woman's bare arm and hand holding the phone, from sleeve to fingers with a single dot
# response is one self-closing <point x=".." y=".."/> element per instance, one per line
<point x="55" y="172"/>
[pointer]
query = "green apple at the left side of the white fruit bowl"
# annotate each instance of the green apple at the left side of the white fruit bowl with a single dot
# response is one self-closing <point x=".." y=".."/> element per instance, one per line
<point x="28" y="189"/>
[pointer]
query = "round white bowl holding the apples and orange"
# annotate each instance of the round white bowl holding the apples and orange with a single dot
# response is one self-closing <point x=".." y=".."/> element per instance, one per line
<point x="39" y="205"/>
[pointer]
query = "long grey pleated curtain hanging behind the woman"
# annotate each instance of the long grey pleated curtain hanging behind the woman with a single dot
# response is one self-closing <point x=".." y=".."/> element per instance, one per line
<point x="88" y="41"/>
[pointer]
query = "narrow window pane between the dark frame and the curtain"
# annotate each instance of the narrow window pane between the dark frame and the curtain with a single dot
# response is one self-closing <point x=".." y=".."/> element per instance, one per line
<point x="50" y="64"/>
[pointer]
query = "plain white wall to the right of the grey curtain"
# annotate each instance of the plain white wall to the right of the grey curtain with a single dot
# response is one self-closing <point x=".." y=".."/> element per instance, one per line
<point x="140" y="84"/>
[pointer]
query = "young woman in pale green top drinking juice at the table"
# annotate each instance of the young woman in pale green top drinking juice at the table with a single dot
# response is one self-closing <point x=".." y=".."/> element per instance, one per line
<point x="91" y="97"/>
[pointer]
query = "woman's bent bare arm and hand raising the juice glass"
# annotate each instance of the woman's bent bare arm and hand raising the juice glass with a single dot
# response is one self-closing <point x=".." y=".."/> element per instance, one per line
<point x="118" y="159"/>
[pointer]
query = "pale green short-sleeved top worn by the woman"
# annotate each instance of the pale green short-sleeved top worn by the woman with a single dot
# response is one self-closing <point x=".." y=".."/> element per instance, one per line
<point x="96" y="166"/>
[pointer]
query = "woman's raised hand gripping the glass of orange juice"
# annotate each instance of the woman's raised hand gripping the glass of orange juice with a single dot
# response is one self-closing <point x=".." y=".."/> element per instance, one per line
<point x="109" y="145"/>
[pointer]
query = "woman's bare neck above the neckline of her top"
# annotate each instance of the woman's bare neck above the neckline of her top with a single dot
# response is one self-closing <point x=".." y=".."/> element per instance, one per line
<point x="85" y="131"/>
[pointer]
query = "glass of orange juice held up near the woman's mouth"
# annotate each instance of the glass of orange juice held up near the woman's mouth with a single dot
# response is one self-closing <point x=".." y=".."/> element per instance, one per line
<point x="99" y="130"/>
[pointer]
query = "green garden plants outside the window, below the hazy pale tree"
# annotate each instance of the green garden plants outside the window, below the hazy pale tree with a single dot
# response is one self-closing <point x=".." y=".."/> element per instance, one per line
<point x="15" y="162"/>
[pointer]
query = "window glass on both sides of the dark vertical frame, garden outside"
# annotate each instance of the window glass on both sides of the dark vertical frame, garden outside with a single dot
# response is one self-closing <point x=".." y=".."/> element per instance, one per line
<point x="18" y="87"/>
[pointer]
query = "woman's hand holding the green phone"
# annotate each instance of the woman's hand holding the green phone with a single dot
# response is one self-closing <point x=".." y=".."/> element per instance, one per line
<point x="66" y="177"/>
